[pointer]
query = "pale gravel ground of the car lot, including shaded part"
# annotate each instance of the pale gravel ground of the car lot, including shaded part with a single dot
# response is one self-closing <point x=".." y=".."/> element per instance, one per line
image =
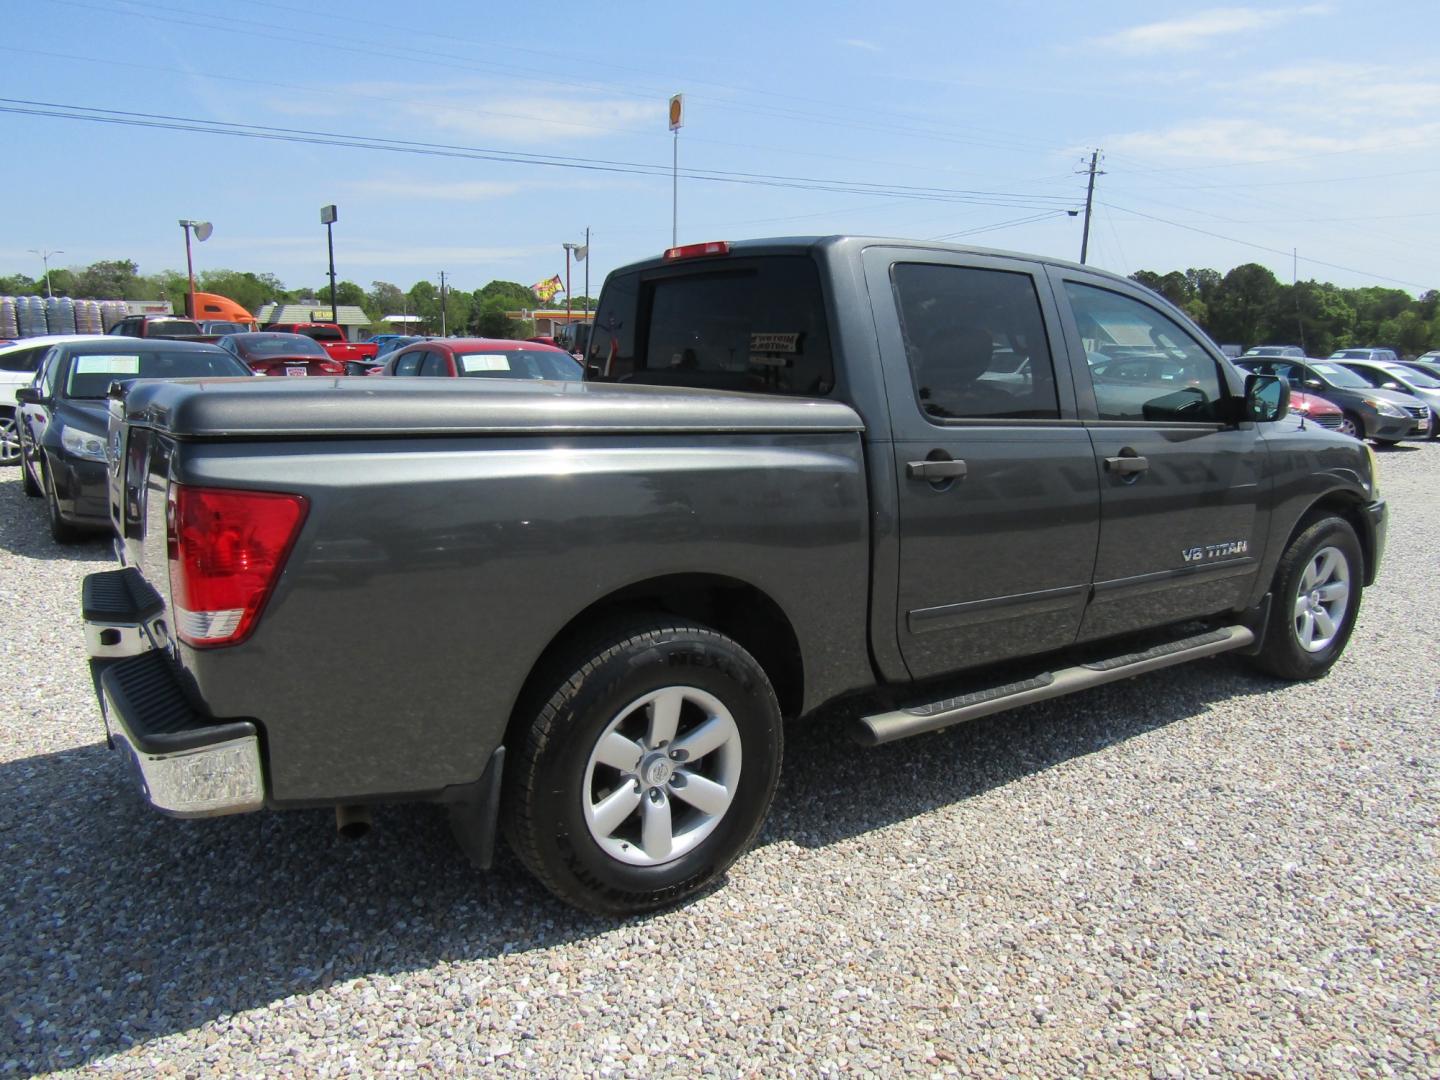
<point x="1197" y="872"/>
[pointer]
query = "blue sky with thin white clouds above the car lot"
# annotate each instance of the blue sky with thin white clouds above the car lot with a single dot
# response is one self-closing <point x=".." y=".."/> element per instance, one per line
<point x="1230" y="135"/>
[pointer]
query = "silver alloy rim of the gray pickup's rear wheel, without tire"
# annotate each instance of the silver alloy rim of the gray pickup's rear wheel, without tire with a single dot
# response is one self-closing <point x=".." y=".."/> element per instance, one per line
<point x="662" y="777"/>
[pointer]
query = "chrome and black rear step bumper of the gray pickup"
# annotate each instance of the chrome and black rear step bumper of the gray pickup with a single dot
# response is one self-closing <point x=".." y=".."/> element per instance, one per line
<point x="189" y="765"/>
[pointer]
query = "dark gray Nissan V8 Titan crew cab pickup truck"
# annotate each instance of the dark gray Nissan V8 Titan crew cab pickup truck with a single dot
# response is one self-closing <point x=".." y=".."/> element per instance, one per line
<point x="894" y="483"/>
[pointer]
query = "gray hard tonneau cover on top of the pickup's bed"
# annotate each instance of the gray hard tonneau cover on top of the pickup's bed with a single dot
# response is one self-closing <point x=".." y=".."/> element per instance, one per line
<point x="377" y="407"/>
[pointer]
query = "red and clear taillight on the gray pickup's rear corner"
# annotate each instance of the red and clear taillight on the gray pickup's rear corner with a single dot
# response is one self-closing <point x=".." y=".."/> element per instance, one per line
<point x="227" y="551"/>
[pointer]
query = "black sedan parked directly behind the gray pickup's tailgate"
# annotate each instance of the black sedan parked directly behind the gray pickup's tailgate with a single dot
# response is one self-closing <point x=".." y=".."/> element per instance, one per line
<point x="64" y="418"/>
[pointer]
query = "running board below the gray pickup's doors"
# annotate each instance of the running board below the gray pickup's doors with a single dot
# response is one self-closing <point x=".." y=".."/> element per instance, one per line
<point x="901" y="724"/>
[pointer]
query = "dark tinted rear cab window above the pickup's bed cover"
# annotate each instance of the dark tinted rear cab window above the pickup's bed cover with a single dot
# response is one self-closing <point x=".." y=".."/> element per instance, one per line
<point x="755" y="325"/>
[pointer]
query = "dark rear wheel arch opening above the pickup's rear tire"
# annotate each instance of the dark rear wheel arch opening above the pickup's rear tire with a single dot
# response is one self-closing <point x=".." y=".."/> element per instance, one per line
<point x="735" y="608"/>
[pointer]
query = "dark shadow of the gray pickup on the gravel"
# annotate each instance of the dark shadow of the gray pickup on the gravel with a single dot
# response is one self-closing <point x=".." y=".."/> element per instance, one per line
<point x="122" y="927"/>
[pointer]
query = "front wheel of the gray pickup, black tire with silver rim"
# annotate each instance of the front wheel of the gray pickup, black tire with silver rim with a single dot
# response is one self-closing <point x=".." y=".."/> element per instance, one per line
<point x="1285" y="653"/>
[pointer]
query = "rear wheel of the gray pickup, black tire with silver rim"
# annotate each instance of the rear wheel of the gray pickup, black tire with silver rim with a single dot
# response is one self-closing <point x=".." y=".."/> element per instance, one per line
<point x="555" y="786"/>
